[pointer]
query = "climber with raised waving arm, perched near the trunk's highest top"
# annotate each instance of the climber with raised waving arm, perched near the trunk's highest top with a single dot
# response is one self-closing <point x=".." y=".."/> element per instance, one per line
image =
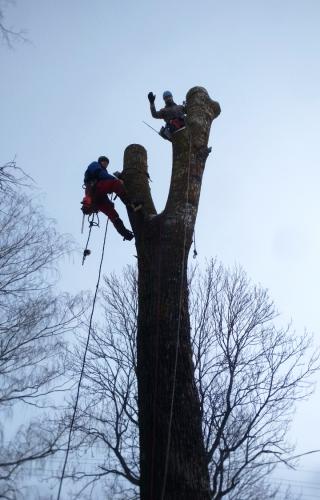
<point x="173" y="114"/>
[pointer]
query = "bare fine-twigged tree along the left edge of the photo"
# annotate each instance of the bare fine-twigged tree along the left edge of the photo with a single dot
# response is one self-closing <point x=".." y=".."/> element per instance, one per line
<point x="34" y="323"/>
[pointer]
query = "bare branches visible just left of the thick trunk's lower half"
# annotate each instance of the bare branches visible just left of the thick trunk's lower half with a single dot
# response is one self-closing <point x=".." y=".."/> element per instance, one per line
<point x="107" y="414"/>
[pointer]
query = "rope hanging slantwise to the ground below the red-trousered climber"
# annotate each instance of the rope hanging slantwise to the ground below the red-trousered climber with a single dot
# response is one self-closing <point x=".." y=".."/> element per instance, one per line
<point x="84" y="359"/>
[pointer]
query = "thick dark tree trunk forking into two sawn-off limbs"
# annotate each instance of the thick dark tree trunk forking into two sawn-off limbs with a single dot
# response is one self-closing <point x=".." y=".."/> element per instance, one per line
<point x="173" y="464"/>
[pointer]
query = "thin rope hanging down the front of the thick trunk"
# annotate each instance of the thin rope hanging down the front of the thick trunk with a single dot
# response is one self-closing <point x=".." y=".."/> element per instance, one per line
<point x="178" y="333"/>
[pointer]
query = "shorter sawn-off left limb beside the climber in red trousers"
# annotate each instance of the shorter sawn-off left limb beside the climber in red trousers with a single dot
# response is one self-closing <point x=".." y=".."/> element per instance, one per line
<point x="136" y="178"/>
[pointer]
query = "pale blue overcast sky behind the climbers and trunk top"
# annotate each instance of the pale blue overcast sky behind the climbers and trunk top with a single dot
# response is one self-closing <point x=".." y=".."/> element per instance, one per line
<point x="78" y="89"/>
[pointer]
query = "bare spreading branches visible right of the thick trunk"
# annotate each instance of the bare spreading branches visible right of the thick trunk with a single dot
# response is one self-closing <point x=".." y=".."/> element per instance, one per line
<point x="249" y="374"/>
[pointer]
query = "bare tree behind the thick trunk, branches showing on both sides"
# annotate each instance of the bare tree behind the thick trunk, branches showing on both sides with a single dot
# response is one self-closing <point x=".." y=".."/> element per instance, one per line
<point x="249" y="372"/>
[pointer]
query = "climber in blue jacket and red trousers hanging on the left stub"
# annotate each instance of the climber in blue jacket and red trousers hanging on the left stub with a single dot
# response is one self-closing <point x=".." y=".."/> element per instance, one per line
<point x="98" y="184"/>
